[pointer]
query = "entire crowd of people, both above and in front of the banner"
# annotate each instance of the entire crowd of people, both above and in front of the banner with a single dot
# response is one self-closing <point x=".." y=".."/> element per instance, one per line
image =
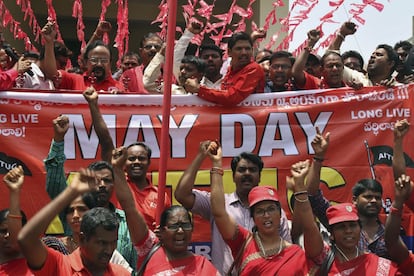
<point x="108" y="210"/>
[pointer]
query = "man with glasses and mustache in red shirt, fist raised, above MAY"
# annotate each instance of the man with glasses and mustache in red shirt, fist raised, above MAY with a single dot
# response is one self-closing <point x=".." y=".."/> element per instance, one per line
<point x="97" y="60"/>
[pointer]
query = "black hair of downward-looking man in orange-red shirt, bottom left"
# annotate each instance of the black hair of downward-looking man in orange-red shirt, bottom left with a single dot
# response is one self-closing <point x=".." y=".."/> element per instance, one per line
<point x="96" y="217"/>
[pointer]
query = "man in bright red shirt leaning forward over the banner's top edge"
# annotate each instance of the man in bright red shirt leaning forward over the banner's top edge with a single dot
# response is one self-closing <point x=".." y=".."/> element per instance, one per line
<point x="243" y="77"/>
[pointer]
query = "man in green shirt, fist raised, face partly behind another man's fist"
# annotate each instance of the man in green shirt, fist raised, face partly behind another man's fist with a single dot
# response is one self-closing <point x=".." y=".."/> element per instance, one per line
<point x="102" y="191"/>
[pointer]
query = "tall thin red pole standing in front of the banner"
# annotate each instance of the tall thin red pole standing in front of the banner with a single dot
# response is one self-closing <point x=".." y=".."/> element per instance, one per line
<point x="168" y="73"/>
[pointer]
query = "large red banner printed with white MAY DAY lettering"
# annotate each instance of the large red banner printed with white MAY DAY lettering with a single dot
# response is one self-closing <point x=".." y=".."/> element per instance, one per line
<point x="277" y="126"/>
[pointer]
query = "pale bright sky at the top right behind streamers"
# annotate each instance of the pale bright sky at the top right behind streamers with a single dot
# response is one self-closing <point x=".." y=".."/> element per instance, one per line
<point x="393" y="24"/>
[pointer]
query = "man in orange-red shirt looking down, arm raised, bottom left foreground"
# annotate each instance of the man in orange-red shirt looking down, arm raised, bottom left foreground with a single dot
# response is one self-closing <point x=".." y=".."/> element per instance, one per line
<point x="98" y="237"/>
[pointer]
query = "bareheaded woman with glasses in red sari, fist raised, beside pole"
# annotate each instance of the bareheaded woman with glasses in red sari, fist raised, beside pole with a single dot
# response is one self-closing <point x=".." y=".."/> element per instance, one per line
<point x="172" y="256"/>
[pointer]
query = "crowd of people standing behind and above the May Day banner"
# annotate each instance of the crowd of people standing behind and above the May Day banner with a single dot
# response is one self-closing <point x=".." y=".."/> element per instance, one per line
<point x="223" y="77"/>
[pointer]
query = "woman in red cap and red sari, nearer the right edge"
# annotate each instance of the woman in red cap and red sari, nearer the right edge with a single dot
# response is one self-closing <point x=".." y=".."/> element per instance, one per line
<point x="344" y="256"/>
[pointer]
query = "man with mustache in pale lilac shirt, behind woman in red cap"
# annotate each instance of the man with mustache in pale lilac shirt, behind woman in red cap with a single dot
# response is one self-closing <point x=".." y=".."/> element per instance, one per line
<point x="246" y="169"/>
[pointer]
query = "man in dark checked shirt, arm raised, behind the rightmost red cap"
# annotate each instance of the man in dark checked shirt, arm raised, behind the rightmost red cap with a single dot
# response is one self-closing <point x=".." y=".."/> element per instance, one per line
<point x="366" y="197"/>
